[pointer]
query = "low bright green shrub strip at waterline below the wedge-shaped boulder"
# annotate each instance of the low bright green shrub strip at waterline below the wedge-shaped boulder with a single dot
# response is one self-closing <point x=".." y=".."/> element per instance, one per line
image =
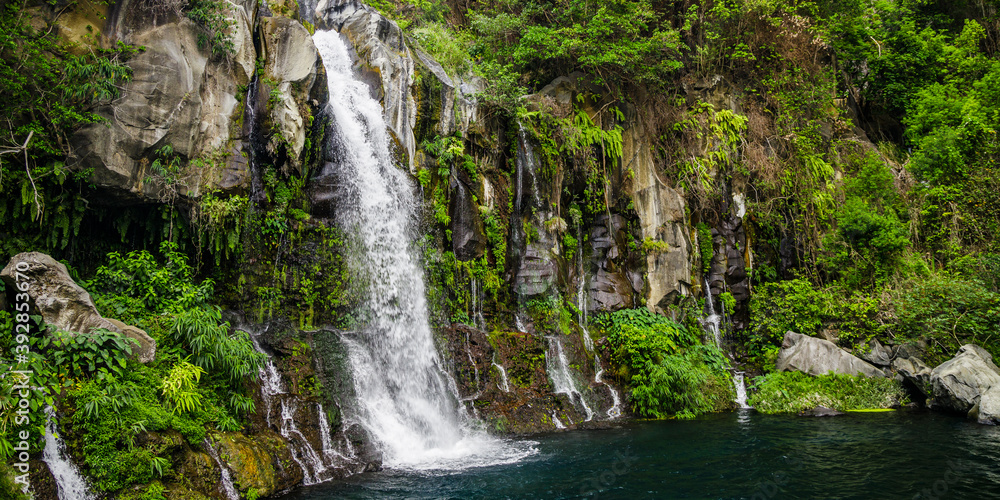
<point x="784" y="392"/>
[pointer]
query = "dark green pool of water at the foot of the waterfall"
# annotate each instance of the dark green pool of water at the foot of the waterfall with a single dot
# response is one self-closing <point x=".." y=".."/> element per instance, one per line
<point x="902" y="455"/>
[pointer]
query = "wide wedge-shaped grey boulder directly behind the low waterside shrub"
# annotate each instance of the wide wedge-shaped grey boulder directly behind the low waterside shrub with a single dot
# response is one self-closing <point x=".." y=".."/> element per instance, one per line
<point x="819" y="357"/>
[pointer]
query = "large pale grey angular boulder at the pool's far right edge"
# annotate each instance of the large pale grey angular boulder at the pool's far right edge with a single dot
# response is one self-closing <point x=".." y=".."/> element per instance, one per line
<point x="957" y="384"/>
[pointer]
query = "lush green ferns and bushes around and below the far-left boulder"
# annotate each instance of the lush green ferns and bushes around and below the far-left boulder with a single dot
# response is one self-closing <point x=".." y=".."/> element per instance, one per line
<point x="196" y="385"/>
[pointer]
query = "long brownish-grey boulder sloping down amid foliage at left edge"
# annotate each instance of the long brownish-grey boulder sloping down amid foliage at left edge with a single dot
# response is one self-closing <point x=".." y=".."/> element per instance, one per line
<point x="63" y="304"/>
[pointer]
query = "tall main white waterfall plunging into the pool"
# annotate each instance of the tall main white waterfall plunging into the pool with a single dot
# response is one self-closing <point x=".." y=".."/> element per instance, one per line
<point x="406" y="400"/>
